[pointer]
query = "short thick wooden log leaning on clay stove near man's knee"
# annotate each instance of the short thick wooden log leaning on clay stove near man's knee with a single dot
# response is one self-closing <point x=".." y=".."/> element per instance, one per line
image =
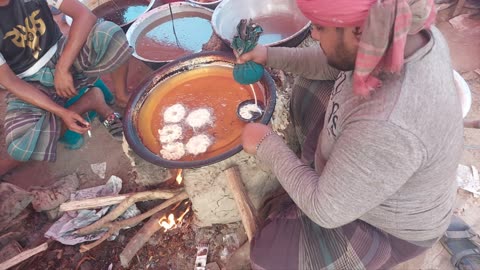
<point x="244" y="204"/>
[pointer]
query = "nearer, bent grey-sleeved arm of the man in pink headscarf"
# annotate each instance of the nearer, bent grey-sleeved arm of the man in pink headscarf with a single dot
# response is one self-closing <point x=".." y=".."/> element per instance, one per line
<point x="370" y="162"/>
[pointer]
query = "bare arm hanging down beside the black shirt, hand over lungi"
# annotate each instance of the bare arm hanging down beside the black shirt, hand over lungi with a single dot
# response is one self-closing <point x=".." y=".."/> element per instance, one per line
<point x="83" y="21"/>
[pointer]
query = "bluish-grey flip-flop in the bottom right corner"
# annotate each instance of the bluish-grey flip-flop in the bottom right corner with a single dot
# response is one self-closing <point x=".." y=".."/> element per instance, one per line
<point x="459" y="242"/>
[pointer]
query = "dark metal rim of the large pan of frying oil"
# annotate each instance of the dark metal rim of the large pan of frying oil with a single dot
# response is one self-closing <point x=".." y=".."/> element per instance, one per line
<point x="138" y="99"/>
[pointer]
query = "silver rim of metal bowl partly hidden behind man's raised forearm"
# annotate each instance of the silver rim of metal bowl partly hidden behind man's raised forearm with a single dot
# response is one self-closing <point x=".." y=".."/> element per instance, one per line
<point x="291" y="41"/>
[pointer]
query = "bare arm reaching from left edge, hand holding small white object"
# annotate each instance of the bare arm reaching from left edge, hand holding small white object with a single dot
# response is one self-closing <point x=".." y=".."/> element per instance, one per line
<point x="34" y="96"/>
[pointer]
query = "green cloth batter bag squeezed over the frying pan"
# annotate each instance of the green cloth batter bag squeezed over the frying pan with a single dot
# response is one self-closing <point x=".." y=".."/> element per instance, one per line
<point x="245" y="41"/>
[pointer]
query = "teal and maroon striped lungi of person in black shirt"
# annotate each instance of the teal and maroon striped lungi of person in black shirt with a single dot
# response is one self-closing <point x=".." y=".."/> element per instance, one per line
<point x="32" y="133"/>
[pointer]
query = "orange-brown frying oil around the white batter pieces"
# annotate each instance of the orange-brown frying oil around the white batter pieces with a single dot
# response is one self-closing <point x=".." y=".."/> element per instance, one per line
<point x="208" y="87"/>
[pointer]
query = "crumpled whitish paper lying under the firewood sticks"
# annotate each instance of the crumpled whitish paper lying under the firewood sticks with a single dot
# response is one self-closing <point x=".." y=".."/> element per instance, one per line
<point x="62" y="230"/>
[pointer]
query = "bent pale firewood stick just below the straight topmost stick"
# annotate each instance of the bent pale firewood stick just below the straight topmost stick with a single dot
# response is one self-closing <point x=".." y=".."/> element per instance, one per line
<point x="123" y="206"/>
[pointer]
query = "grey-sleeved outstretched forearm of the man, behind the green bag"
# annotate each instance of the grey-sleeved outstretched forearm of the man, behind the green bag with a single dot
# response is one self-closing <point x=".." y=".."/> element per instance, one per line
<point x="310" y="62"/>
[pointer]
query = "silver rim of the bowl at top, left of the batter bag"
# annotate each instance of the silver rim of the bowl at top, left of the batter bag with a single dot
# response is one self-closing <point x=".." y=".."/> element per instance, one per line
<point x="132" y="38"/>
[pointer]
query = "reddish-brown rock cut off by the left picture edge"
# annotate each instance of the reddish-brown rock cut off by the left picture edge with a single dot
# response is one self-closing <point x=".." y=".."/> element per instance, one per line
<point x="13" y="200"/>
